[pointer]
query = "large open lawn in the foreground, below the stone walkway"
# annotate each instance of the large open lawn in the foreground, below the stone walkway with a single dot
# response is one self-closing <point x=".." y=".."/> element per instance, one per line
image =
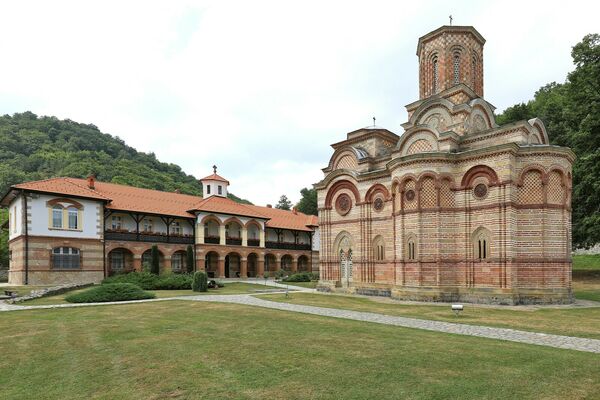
<point x="188" y="350"/>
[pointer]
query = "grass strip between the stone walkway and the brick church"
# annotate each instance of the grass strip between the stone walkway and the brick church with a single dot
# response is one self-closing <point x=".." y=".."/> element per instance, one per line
<point x="583" y="322"/>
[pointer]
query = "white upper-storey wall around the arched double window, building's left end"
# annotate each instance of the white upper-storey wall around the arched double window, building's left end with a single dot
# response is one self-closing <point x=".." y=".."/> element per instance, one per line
<point x="91" y="218"/>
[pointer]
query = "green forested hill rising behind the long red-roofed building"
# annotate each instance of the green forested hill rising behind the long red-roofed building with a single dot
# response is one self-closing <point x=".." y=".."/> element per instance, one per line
<point x="33" y="148"/>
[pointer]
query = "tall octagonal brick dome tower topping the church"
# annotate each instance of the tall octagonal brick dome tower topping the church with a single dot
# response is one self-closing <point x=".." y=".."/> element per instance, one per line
<point x="448" y="56"/>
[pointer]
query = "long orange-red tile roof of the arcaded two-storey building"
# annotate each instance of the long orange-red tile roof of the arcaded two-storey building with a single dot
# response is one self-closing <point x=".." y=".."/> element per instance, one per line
<point x="129" y="198"/>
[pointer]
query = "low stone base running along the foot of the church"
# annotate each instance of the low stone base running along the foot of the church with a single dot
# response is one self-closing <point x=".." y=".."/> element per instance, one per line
<point x="483" y="295"/>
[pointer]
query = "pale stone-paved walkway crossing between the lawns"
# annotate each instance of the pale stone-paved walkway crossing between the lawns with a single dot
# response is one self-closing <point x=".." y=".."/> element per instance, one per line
<point x="542" y="339"/>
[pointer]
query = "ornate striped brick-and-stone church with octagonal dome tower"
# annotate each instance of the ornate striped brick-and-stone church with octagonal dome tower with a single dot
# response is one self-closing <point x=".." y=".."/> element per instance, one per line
<point x="456" y="208"/>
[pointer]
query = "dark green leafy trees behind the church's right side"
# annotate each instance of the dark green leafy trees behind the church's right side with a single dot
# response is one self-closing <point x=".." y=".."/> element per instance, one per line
<point x="571" y="113"/>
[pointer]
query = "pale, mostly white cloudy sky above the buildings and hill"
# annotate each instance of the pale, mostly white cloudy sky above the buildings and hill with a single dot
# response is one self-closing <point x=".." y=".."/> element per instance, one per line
<point x="261" y="88"/>
